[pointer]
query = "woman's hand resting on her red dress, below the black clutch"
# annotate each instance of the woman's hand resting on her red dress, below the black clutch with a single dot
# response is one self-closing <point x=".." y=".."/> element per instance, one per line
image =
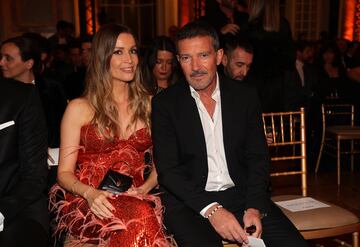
<point x="98" y="203"/>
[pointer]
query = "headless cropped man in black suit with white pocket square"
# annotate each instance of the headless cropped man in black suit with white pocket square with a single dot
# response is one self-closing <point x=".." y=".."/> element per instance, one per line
<point x="23" y="168"/>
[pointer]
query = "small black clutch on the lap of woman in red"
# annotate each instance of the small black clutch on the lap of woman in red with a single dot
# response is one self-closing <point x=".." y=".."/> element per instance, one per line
<point x="115" y="182"/>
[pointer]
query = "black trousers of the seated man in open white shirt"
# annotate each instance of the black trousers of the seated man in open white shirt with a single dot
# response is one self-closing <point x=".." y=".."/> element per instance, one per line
<point x="190" y="229"/>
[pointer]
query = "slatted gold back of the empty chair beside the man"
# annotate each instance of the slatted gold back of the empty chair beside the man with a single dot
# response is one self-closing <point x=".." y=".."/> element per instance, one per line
<point x="285" y="134"/>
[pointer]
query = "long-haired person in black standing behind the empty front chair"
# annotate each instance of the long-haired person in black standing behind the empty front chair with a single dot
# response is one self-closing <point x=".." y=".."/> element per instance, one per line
<point x="274" y="52"/>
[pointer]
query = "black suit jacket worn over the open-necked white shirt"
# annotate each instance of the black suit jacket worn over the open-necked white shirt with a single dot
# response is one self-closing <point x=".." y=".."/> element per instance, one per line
<point x="180" y="151"/>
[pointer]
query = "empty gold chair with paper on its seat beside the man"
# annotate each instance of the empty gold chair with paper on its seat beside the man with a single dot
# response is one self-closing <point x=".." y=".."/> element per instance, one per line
<point x="288" y="146"/>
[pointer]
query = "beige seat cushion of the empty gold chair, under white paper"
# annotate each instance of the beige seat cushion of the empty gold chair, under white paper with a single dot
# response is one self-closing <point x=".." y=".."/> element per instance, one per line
<point x="319" y="218"/>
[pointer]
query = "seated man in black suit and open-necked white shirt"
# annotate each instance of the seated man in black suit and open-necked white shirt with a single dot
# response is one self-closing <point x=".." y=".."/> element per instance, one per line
<point x="211" y="155"/>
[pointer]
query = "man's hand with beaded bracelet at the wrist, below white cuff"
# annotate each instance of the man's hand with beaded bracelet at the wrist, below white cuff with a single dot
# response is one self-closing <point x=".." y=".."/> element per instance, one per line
<point x="225" y="223"/>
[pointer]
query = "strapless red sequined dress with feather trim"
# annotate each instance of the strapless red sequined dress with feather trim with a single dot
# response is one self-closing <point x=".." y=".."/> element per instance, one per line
<point x="137" y="221"/>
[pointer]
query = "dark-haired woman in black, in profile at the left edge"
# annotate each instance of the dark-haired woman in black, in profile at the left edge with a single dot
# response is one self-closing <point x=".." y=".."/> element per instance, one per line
<point x="21" y="61"/>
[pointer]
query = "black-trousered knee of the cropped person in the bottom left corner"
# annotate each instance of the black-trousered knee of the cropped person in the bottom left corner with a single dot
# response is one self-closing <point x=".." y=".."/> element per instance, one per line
<point x="23" y="232"/>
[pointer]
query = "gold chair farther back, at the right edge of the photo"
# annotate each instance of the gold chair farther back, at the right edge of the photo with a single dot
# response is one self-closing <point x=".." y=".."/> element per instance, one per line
<point x="338" y="126"/>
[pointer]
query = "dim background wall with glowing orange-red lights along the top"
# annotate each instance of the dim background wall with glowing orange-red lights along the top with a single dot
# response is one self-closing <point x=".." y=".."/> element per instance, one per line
<point x="308" y="18"/>
